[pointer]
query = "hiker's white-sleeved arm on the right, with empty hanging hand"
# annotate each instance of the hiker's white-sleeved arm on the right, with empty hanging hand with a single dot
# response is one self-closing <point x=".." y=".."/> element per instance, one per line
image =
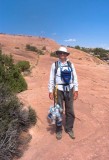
<point x="75" y="82"/>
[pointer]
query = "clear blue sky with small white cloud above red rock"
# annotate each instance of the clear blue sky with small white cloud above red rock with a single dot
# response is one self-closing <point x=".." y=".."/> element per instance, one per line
<point x="68" y="22"/>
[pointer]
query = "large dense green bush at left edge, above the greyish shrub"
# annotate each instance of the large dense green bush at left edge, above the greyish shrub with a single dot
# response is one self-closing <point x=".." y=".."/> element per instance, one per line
<point x="10" y="74"/>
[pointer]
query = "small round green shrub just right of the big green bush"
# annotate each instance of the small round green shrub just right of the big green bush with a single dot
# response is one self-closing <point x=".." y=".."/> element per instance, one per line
<point x="23" y="65"/>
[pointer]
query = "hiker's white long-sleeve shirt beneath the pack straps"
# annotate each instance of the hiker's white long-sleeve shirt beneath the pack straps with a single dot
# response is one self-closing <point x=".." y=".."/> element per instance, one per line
<point x="73" y="81"/>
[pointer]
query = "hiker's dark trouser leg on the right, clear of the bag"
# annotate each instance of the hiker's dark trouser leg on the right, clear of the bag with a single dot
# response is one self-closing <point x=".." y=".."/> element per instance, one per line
<point x="69" y="112"/>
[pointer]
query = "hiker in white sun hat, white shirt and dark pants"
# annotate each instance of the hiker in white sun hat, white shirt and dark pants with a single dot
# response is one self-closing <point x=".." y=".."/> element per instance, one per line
<point x="63" y="85"/>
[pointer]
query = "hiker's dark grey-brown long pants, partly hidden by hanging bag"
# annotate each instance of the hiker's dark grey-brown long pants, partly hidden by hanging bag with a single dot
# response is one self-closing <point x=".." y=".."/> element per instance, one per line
<point x="69" y="111"/>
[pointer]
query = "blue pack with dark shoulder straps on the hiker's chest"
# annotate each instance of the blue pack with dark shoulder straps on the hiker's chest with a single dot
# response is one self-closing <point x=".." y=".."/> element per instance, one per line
<point x="65" y="74"/>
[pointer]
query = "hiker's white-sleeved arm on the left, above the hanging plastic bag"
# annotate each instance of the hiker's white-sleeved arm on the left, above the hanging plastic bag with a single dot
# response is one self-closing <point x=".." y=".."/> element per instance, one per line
<point x="51" y="82"/>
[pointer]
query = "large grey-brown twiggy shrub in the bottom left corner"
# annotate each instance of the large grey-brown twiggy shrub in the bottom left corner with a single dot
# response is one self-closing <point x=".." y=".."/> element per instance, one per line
<point x="14" y="121"/>
